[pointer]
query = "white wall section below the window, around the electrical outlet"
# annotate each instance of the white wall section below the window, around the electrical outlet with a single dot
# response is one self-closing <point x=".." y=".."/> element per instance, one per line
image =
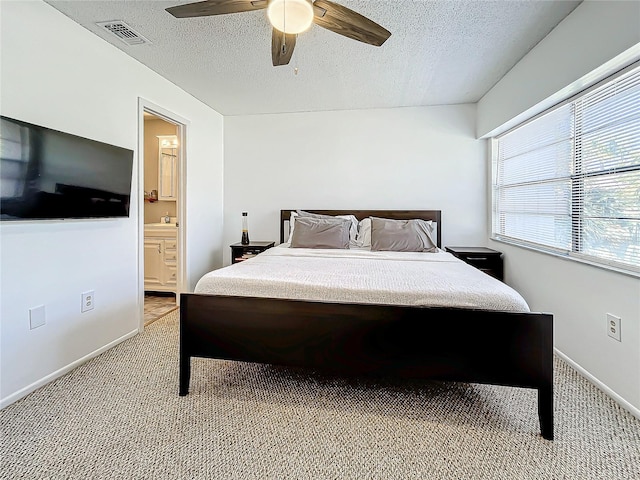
<point x="580" y="296"/>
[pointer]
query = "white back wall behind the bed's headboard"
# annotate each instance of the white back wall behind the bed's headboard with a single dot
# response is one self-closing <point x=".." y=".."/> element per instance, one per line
<point x="402" y="158"/>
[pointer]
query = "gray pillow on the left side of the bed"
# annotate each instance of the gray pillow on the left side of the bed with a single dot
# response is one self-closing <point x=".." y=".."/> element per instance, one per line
<point x="321" y="233"/>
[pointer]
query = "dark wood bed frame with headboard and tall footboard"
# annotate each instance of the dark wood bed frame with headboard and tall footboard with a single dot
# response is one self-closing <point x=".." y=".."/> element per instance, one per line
<point x="449" y="344"/>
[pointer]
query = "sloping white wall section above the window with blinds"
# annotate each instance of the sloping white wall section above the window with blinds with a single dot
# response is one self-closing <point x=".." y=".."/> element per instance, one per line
<point x="592" y="42"/>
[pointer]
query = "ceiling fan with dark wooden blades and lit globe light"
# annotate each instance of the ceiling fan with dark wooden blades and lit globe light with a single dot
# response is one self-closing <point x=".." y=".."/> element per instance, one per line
<point x="290" y="17"/>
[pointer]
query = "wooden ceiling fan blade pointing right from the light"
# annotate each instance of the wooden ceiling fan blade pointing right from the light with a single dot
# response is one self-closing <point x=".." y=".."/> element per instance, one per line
<point x="346" y="22"/>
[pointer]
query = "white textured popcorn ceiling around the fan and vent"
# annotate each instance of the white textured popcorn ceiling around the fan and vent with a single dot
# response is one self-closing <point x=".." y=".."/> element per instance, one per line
<point x="440" y="52"/>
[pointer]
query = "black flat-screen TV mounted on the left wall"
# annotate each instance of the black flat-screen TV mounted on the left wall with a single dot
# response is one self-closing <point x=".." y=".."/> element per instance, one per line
<point x="47" y="174"/>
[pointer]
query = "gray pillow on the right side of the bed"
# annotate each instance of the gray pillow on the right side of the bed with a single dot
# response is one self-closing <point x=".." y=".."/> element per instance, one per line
<point x="401" y="235"/>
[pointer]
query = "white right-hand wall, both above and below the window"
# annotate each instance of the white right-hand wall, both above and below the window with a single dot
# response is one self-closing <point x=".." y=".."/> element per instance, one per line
<point x="579" y="296"/>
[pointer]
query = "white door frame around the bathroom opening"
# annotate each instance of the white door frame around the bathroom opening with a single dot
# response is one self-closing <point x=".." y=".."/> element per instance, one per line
<point x="181" y="124"/>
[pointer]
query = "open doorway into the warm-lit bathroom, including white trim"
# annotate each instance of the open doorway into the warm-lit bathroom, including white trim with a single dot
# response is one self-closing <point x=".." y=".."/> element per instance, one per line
<point x="161" y="189"/>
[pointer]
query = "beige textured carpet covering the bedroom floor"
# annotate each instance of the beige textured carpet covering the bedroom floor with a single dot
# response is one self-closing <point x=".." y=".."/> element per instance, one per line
<point x="119" y="416"/>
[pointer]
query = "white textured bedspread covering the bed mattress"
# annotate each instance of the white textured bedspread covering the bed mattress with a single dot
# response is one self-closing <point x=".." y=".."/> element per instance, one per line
<point x="362" y="276"/>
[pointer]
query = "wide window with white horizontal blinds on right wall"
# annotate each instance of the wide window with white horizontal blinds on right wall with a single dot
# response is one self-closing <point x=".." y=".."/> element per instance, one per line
<point x="568" y="181"/>
